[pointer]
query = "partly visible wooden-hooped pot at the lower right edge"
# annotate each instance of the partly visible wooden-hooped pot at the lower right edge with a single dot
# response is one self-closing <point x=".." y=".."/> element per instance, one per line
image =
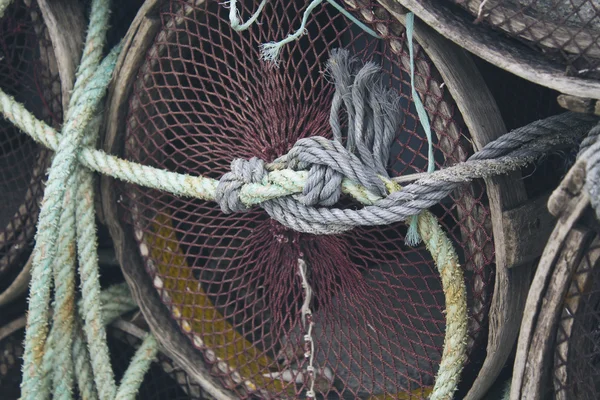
<point x="557" y="353"/>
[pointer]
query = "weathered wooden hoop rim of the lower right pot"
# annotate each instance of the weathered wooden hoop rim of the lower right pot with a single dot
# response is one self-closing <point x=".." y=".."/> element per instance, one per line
<point x="560" y="257"/>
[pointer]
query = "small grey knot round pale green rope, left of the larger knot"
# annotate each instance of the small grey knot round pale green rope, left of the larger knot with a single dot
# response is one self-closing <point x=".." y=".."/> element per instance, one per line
<point x="229" y="187"/>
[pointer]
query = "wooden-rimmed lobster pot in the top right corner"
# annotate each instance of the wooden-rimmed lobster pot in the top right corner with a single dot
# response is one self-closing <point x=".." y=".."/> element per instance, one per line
<point x="551" y="43"/>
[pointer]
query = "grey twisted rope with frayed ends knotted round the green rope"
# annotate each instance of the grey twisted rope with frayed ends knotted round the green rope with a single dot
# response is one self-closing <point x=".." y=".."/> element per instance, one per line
<point x="373" y="121"/>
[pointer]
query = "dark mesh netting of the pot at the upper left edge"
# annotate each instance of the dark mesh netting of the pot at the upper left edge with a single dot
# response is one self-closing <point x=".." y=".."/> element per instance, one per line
<point x="28" y="72"/>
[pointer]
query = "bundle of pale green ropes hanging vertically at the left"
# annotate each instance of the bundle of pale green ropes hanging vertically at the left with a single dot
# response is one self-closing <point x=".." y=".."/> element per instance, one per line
<point x="66" y="229"/>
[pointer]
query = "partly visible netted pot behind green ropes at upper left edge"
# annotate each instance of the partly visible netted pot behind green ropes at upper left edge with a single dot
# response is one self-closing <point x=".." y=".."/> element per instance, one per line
<point x="40" y="45"/>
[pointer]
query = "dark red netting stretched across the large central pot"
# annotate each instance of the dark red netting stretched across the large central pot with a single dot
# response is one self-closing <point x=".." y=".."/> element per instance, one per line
<point x="203" y="98"/>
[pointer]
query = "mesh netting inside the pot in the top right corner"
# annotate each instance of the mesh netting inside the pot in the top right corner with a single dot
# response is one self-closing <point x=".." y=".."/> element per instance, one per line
<point x="566" y="31"/>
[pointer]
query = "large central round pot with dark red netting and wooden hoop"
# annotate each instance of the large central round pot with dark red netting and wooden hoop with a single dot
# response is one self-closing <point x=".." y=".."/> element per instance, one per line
<point x="191" y="95"/>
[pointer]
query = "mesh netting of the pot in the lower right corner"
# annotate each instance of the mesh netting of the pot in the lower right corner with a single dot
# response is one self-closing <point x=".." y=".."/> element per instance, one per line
<point x="576" y="373"/>
